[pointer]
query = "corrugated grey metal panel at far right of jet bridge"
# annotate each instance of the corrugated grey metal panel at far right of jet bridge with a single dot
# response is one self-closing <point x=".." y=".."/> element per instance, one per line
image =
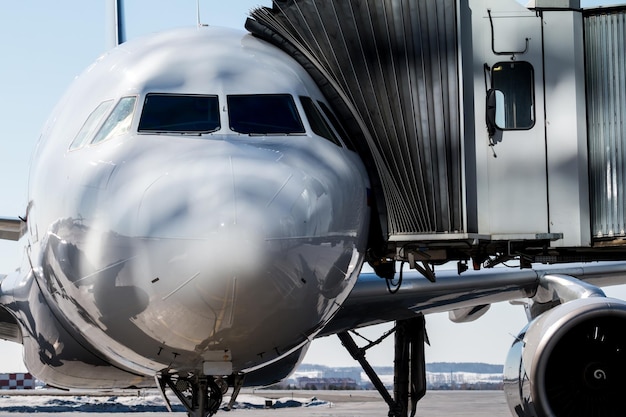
<point x="605" y="54"/>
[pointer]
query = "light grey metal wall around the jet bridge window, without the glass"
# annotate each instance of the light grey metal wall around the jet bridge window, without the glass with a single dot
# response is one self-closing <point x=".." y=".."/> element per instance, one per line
<point x="511" y="182"/>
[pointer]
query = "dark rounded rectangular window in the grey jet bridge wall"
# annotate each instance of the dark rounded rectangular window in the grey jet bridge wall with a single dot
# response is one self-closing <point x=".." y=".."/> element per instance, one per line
<point x="513" y="86"/>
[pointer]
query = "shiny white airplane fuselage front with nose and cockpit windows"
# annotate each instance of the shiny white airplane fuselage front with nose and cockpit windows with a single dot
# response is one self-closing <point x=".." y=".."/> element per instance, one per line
<point x="186" y="214"/>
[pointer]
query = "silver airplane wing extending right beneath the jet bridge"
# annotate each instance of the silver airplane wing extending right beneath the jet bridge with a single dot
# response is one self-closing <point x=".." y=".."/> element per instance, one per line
<point x="467" y="296"/>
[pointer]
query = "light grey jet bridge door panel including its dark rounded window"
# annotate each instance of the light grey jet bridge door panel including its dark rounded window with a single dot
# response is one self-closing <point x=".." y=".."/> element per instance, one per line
<point x="508" y="199"/>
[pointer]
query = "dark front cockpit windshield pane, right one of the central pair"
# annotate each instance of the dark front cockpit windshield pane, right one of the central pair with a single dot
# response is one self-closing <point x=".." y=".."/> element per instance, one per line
<point x="264" y="114"/>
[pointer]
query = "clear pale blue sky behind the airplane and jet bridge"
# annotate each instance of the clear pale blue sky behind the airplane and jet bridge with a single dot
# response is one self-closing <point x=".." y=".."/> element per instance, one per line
<point x="45" y="44"/>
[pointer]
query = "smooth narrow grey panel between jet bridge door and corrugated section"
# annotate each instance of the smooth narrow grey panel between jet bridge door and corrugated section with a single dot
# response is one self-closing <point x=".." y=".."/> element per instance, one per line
<point x="566" y="127"/>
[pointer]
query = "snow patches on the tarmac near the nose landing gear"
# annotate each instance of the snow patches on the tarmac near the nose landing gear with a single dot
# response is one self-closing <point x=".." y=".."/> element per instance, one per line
<point x="144" y="402"/>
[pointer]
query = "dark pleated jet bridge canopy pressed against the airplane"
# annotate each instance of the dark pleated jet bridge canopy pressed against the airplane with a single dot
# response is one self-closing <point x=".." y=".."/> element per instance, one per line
<point x="392" y="65"/>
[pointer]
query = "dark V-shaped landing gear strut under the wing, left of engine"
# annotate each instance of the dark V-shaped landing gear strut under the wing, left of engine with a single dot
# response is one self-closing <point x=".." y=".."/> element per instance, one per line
<point x="409" y="384"/>
